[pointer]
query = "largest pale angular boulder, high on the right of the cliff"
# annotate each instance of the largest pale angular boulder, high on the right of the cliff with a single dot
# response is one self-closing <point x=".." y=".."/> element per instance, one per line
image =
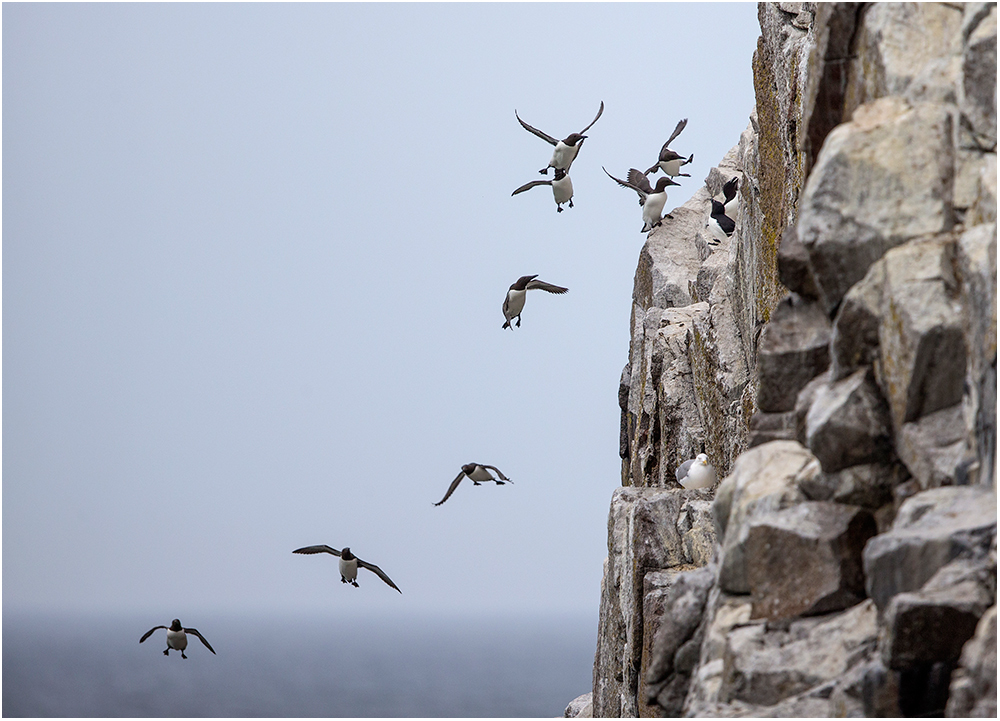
<point x="880" y="180"/>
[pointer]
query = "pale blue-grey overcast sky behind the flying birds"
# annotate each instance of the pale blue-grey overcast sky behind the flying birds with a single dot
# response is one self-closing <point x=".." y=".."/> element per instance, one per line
<point x="254" y="258"/>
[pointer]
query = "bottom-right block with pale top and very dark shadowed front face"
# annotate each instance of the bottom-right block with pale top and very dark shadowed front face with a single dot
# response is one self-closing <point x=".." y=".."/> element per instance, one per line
<point x="932" y="624"/>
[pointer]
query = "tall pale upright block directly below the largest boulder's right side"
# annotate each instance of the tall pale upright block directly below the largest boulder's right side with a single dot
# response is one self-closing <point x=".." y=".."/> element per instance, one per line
<point x="922" y="346"/>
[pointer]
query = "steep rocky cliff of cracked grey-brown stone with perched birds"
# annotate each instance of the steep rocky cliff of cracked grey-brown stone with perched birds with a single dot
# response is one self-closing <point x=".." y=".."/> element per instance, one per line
<point x="836" y="360"/>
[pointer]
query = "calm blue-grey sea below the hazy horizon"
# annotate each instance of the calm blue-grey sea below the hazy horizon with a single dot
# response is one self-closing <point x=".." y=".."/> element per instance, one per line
<point x="521" y="667"/>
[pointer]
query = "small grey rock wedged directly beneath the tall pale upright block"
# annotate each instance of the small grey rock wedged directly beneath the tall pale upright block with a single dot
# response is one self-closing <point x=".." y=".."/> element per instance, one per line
<point x="934" y="447"/>
